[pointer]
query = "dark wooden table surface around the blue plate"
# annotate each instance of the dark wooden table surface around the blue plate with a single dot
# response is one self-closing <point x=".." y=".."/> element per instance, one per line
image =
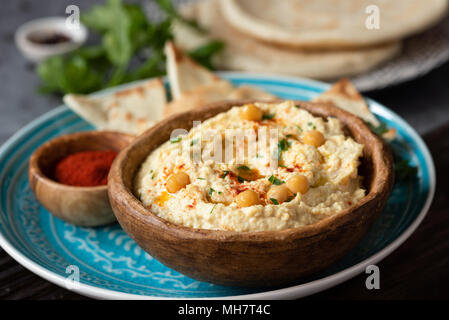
<point x="419" y="269"/>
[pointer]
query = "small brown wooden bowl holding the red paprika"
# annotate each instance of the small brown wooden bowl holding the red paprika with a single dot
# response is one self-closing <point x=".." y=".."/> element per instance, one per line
<point x="82" y="206"/>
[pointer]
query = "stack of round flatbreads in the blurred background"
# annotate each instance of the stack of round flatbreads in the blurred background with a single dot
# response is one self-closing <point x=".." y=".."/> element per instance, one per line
<point x="321" y="39"/>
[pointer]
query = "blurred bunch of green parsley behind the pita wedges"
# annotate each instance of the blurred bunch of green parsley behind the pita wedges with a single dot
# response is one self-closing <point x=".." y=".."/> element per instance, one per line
<point x="126" y="35"/>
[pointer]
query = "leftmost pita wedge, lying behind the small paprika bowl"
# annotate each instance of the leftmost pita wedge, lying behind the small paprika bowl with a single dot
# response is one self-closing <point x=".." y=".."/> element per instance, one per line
<point x="132" y="110"/>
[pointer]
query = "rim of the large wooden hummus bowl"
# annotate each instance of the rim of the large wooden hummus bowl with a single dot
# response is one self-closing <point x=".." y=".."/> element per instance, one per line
<point x="136" y="208"/>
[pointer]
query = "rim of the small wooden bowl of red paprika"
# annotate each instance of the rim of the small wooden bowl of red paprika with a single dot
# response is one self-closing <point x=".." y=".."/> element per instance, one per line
<point x="35" y="169"/>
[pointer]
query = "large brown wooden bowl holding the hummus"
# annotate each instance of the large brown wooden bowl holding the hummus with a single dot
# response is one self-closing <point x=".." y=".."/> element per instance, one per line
<point x="250" y="258"/>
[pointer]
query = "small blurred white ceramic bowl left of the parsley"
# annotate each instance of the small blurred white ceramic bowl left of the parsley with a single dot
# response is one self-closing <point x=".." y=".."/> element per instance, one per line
<point x="37" y="52"/>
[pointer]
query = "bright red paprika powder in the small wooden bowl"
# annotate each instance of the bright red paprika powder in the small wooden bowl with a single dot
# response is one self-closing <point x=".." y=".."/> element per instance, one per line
<point x="85" y="169"/>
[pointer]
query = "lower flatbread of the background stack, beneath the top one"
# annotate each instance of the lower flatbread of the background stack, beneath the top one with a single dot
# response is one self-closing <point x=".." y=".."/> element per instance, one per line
<point x="247" y="54"/>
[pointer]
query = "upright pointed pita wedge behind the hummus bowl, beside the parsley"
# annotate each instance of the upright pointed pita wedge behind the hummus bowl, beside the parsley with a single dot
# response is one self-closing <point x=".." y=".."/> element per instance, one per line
<point x="194" y="86"/>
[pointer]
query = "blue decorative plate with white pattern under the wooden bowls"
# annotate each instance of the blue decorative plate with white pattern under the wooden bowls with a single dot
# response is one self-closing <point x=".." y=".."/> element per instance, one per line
<point x="111" y="265"/>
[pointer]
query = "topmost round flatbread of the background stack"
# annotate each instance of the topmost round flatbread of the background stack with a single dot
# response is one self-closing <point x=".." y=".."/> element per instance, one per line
<point x="330" y="23"/>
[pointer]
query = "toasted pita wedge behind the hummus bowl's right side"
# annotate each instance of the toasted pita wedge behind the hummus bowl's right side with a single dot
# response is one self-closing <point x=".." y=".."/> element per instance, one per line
<point x="344" y="95"/>
